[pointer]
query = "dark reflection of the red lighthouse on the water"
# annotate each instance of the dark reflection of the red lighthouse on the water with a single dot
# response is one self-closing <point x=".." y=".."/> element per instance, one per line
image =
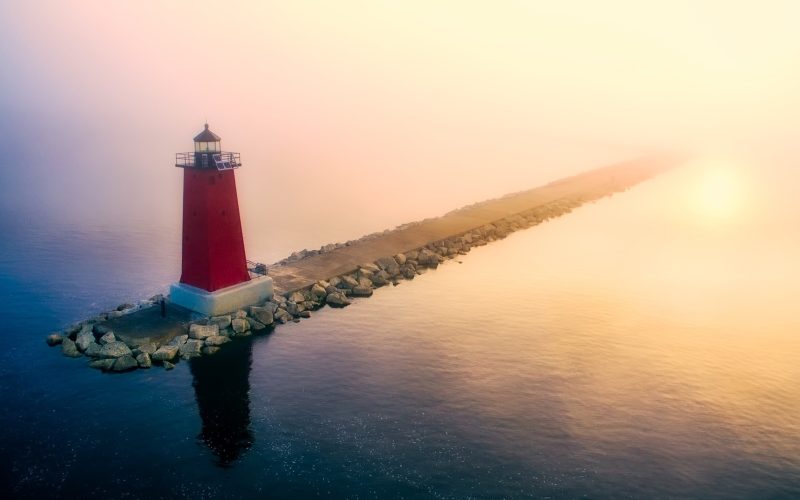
<point x="222" y="389"/>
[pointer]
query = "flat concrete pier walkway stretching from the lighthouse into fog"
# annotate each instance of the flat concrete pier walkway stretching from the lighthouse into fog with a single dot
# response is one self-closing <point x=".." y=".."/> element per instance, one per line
<point x="589" y="185"/>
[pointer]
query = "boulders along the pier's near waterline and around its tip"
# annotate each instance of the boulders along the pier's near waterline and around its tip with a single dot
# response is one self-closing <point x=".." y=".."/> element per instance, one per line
<point x="208" y="335"/>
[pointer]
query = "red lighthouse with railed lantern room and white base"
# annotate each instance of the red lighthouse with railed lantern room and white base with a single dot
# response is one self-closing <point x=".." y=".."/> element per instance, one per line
<point x="214" y="275"/>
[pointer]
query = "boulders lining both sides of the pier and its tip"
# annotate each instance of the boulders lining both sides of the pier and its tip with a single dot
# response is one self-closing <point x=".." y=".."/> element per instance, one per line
<point x="207" y="336"/>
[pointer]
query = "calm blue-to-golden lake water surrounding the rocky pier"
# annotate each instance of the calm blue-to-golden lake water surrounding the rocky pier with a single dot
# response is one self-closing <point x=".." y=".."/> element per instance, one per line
<point x="643" y="346"/>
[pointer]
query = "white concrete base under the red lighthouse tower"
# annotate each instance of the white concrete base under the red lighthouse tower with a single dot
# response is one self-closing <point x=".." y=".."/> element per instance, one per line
<point x="223" y="301"/>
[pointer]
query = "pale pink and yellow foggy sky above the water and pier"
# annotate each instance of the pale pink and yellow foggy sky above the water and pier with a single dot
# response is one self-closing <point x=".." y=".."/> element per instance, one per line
<point x="352" y="117"/>
